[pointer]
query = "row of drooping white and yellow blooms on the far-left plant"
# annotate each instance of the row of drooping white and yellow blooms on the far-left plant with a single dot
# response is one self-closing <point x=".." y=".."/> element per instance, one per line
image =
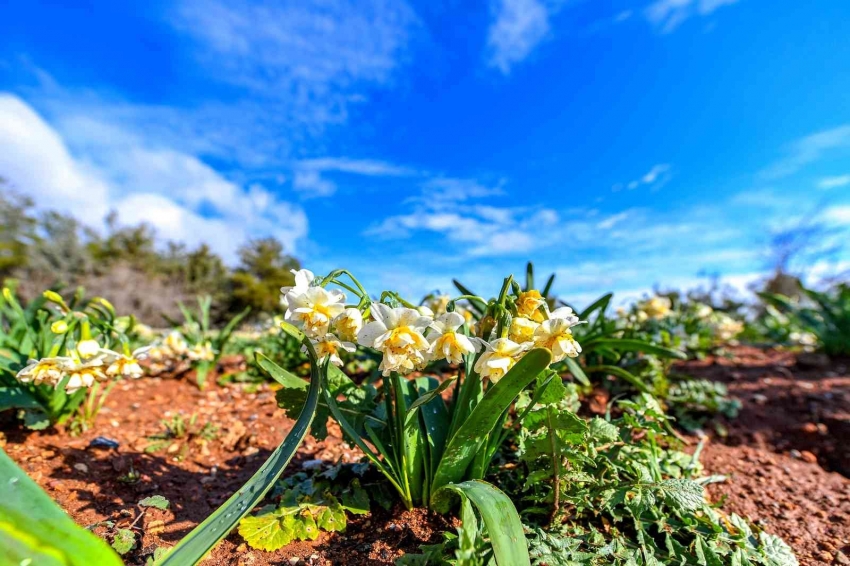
<point x="83" y="366"/>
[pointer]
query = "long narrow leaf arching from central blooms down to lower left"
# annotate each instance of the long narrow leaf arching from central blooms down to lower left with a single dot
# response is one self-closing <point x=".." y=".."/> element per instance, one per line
<point x="205" y="536"/>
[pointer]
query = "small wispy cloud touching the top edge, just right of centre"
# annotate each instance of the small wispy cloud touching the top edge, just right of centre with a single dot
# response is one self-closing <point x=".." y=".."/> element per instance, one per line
<point x="519" y="26"/>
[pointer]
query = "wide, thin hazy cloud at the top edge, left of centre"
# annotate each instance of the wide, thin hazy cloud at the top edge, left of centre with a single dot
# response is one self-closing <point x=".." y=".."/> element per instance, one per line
<point x="297" y="48"/>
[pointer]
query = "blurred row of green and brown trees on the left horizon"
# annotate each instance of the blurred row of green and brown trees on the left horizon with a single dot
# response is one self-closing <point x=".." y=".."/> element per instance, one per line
<point x="131" y="266"/>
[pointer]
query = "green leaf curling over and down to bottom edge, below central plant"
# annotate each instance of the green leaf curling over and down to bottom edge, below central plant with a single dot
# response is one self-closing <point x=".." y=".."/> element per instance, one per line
<point x="500" y="518"/>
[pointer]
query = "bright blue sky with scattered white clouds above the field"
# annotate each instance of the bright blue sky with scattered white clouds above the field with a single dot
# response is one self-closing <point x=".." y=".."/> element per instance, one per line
<point x="620" y="144"/>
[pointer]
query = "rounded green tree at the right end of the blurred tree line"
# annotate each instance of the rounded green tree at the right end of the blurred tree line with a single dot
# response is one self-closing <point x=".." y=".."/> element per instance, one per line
<point x="263" y="269"/>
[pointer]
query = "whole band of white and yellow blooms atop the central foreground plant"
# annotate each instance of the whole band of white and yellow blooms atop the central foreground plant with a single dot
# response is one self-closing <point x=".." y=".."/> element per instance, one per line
<point x="409" y="338"/>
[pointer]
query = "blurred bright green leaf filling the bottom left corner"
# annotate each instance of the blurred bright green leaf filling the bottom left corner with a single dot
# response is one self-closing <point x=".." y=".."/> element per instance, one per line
<point x="34" y="528"/>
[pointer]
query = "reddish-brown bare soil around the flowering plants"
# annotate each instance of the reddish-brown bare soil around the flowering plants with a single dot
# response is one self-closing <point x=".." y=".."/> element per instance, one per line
<point x="784" y="457"/>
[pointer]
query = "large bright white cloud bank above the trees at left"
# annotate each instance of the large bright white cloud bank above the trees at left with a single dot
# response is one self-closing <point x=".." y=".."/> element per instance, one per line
<point x="177" y="193"/>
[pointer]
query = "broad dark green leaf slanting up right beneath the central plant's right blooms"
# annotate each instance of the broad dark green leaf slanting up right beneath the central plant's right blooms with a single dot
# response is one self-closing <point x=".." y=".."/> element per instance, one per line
<point x="469" y="438"/>
